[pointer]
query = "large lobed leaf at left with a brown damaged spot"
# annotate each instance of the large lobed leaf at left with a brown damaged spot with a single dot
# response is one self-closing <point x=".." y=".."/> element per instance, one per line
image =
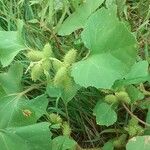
<point x="15" y="109"/>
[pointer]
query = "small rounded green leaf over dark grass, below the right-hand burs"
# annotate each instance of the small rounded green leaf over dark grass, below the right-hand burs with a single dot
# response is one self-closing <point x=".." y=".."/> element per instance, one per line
<point x="105" y="115"/>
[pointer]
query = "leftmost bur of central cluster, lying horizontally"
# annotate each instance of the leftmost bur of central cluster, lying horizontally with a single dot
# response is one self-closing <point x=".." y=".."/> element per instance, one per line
<point x="35" y="55"/>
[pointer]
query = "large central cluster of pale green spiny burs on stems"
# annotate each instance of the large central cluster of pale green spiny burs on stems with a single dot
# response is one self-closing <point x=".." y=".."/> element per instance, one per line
<point x="43" y="61"/>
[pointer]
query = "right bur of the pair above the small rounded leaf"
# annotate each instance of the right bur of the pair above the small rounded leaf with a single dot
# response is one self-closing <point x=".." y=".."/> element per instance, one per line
<point x="123" y="97"/>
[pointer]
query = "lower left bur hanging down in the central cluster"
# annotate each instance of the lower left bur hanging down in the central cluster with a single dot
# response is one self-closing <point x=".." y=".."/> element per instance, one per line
<point x="36" y="71"/>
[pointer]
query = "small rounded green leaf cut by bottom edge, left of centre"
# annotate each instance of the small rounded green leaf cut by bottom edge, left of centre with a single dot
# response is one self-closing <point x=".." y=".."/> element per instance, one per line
<point x="63" y="143"/>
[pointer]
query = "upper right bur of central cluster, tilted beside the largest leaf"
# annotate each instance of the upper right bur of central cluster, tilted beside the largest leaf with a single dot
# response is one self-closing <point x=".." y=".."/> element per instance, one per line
<point x="70" y="57"/>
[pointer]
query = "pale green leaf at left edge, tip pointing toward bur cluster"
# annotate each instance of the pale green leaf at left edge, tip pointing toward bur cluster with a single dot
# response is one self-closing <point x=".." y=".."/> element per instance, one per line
<point x="10" y="45"/>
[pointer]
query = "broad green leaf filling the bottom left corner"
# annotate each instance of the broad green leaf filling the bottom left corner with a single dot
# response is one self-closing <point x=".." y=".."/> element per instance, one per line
<point x="33" y="137"/>
